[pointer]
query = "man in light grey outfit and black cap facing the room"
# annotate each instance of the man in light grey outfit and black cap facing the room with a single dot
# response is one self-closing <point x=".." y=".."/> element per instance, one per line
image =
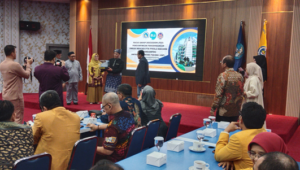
<point x="75" y="73"/>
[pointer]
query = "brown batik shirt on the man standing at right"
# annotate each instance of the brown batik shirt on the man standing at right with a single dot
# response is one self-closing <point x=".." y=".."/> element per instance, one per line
<point x="229" y="93"/>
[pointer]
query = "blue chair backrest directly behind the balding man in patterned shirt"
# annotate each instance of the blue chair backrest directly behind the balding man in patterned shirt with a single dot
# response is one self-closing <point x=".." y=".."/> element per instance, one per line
<point x="136" y="141"/>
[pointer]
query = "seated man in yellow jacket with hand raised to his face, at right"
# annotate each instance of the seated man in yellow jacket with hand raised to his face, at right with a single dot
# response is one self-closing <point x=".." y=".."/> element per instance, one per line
<point x="235" y="148"/>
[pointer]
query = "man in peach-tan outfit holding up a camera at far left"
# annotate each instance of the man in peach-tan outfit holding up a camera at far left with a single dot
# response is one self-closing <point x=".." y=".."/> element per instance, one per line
<point x="12" y="73"/>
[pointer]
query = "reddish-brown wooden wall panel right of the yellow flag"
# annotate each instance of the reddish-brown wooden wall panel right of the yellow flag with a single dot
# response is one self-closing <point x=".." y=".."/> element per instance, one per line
<point x="279" y="38"/>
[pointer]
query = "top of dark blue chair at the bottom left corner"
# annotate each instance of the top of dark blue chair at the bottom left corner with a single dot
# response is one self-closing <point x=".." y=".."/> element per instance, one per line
<point x="35" y="162"/>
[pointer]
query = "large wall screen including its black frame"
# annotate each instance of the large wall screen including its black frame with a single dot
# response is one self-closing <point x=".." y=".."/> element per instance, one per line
<point x="174" y="49"/>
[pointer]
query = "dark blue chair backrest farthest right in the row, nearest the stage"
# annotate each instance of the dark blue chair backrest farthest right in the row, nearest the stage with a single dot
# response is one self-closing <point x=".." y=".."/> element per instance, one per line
<point x="173" y="126"/>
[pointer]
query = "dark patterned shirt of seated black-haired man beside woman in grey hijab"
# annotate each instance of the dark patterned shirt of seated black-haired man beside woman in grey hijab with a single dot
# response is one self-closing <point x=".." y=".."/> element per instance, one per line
<point x="133" y="106"/>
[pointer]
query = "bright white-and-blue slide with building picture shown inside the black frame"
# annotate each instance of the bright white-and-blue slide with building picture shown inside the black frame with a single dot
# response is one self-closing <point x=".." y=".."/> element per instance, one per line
<point x="166" y="49"/>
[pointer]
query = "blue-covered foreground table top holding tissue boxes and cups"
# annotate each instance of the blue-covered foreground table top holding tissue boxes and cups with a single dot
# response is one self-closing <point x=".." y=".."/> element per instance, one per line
<point x="177" y="160"/>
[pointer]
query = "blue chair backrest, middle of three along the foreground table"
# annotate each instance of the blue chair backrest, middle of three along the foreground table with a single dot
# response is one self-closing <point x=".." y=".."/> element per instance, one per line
<point x="152" y="130"/>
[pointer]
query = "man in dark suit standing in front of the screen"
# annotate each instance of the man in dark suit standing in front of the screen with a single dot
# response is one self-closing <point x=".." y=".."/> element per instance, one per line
<point x="142" y="77"/>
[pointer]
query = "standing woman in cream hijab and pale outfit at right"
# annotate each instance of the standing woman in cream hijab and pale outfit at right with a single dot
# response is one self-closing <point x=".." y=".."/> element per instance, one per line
<point x="254" y="85"/>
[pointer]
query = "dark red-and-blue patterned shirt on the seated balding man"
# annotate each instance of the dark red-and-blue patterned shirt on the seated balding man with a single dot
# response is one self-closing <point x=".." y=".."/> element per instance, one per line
<point x="117" y="134"/>
